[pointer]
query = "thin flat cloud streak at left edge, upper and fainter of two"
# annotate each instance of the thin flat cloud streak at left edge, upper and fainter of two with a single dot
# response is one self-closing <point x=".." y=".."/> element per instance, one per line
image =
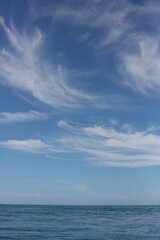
<point x="7" y="117"/>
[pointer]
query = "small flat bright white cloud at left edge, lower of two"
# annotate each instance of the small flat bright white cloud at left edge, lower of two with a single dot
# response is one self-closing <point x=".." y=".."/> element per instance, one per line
<point x="29" y="145"/>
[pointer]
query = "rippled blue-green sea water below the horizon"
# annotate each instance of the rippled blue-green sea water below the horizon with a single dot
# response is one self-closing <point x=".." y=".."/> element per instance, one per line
<point x="79" y="222"/>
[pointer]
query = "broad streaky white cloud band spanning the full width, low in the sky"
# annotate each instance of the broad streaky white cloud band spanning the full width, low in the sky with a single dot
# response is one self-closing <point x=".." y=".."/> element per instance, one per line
<point x="102" y="146"/>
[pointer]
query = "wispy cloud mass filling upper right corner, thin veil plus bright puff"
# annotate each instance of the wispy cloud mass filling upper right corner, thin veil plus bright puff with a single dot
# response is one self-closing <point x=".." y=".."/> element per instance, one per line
<point x="131" y="27"/>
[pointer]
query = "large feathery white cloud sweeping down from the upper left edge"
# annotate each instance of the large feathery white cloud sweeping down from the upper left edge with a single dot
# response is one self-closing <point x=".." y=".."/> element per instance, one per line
<point x="24" y="68"/>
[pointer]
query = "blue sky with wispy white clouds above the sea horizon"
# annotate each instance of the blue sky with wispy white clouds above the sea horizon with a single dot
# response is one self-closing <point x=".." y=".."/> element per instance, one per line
<point x="80" y="97"/>
